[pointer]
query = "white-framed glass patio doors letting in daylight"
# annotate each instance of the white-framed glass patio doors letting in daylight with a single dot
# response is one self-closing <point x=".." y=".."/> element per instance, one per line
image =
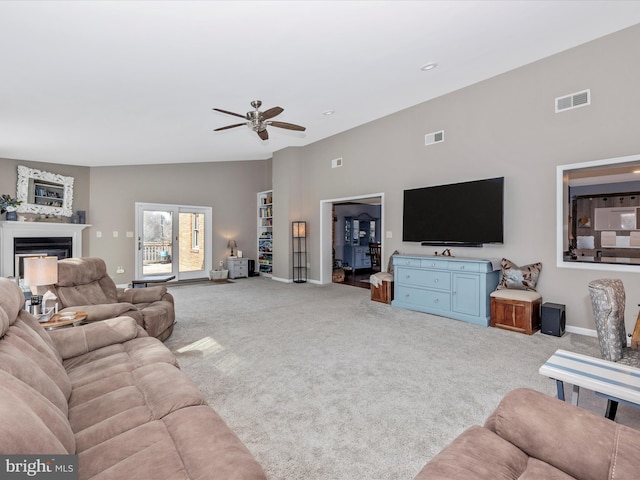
<point x="173" y="240"/>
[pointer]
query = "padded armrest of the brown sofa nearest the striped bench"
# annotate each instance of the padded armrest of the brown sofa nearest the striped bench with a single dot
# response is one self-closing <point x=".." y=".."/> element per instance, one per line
<point x="572" y="439"/>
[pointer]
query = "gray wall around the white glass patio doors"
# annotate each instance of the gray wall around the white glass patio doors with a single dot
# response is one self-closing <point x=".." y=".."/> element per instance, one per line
<point x="228" y="187"/>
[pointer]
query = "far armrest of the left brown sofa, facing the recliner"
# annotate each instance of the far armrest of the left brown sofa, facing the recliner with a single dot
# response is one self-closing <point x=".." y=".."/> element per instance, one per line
<point x="75" y="341"/>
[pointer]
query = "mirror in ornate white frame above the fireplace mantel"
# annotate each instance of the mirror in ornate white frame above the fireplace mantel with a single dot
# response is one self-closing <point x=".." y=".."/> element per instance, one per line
<point x="44" y="193"/>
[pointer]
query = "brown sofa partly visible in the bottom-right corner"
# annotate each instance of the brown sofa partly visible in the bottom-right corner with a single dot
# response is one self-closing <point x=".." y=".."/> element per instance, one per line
<point x="534" y="436"/>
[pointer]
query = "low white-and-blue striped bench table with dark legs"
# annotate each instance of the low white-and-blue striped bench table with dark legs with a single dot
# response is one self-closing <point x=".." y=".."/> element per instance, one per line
<point x="616" y="382"/>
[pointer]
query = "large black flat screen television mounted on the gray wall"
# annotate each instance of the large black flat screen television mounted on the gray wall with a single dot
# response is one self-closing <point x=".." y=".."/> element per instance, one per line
<point x="459" y="214"/>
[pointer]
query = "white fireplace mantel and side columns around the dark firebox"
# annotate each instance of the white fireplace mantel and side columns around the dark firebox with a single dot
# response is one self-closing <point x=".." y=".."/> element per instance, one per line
<point x="11" y="230"/>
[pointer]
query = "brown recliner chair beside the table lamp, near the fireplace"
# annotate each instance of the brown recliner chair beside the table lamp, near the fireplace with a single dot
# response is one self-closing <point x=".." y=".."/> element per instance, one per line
<point x="84" y="285"/>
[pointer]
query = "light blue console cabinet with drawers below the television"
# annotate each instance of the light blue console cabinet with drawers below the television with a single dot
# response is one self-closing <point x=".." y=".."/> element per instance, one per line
<point x="453" y="287"/>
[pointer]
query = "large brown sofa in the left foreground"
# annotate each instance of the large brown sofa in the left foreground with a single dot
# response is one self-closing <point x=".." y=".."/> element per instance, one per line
<point x="111" y="394"/>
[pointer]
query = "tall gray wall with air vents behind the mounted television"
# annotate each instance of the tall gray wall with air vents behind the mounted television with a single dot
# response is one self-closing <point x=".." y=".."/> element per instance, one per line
<point x="505" y="126"/>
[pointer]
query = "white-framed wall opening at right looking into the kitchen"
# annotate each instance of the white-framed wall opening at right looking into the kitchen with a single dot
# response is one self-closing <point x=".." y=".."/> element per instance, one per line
<point x="598" y="215"/>
